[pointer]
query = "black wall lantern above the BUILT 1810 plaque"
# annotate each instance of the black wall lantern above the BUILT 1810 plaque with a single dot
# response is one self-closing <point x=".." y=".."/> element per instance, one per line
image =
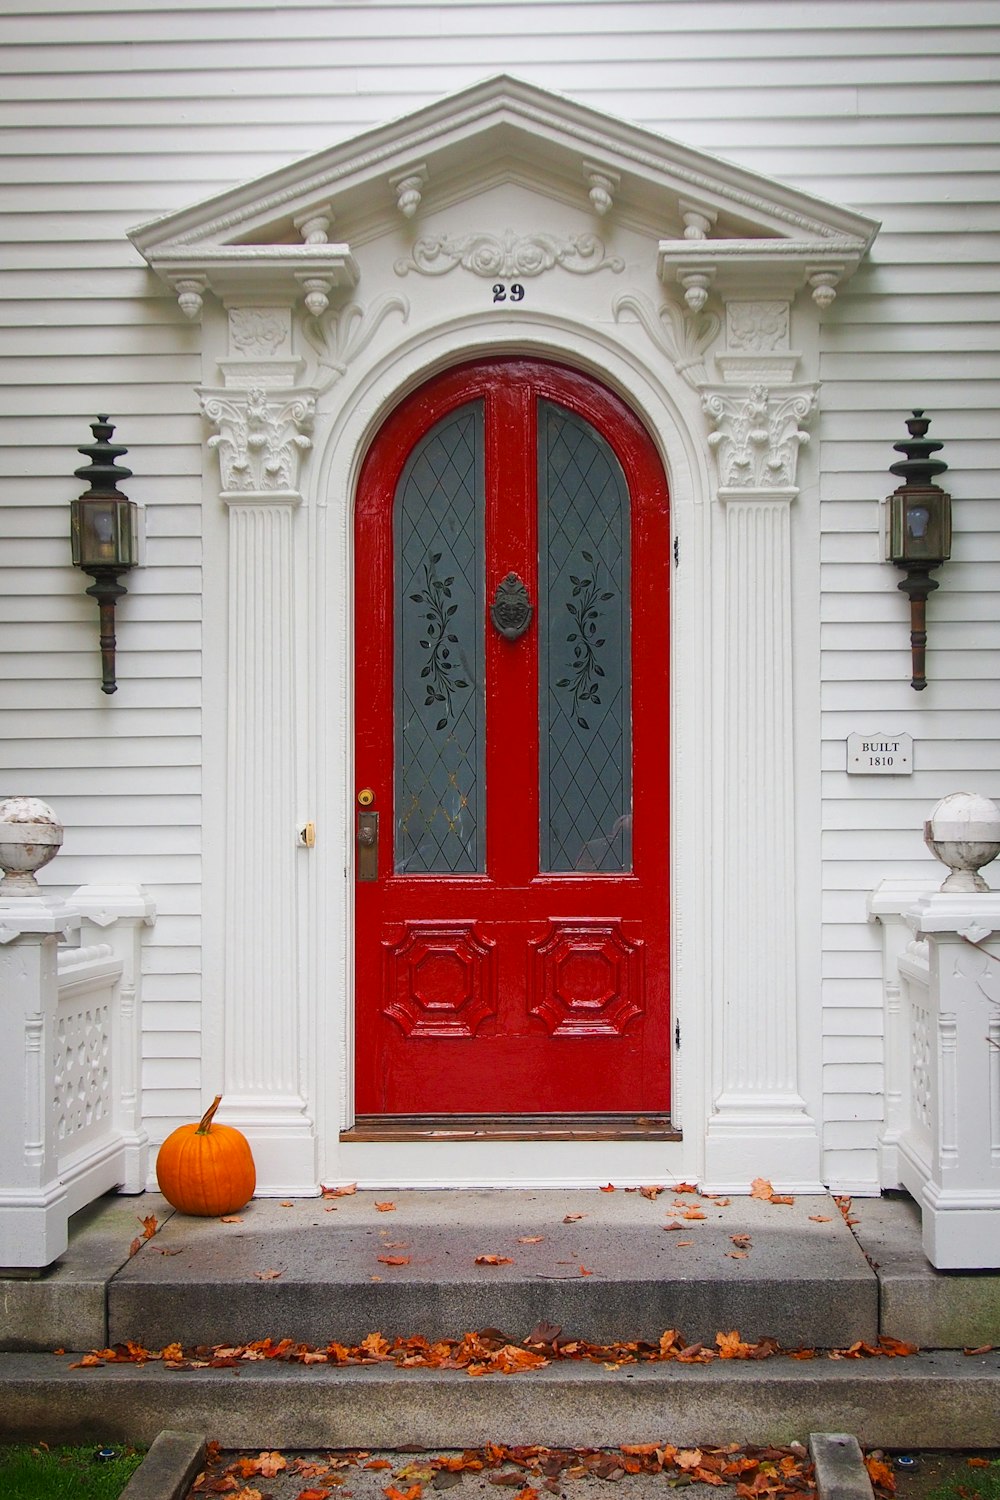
<point x="920" y="530"/>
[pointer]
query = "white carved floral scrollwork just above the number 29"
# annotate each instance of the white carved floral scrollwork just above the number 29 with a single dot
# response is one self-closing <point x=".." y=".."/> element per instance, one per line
<point x="509" y="256"/>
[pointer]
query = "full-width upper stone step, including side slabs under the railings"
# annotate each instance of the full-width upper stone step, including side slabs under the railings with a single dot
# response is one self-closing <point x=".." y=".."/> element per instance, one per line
<point x="98" y="1294"/>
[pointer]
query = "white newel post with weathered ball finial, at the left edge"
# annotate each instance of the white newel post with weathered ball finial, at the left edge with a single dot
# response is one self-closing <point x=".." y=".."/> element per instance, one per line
<point x="34" y="1213"/>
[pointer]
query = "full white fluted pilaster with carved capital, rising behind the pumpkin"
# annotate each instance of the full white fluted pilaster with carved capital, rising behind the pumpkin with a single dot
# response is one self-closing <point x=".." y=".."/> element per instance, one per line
<point x="262" y="433"/>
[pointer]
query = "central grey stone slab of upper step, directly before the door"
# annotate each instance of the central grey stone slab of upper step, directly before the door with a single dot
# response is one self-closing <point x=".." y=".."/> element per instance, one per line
<point x="600" y="1267"/>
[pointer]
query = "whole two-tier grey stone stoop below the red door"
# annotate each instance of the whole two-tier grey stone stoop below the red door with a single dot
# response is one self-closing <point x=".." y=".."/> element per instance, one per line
<point x="600" y="1265"/>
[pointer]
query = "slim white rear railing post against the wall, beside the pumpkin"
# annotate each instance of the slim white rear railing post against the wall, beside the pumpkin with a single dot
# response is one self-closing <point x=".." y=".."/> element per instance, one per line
<point x="116" y="916"/>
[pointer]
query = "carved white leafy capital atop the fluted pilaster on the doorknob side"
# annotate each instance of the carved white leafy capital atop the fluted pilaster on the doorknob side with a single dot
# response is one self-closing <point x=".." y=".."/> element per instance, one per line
<point x="260" y="440"/>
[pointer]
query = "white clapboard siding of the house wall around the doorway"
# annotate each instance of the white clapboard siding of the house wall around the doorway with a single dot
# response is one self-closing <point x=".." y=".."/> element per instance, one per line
<point x="888" y="107"/>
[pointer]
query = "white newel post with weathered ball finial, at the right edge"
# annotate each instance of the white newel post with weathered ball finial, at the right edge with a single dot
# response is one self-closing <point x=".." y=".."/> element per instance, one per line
<point x="953" y="1169"/>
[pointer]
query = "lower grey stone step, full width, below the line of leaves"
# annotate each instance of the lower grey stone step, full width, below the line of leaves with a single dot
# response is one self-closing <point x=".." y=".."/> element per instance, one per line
<point x="939" y="1400"/>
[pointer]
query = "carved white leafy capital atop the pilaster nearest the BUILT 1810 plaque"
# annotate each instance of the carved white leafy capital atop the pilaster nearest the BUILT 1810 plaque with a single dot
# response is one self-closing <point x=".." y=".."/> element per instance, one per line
<point x="759" y="434"/>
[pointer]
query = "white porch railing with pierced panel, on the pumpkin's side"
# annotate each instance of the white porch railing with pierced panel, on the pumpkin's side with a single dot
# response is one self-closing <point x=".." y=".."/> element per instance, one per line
<point x="70" y="1031"/>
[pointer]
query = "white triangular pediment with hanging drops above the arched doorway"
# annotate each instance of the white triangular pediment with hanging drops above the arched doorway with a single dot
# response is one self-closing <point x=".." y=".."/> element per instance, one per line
<point x="313" y="218"/>
